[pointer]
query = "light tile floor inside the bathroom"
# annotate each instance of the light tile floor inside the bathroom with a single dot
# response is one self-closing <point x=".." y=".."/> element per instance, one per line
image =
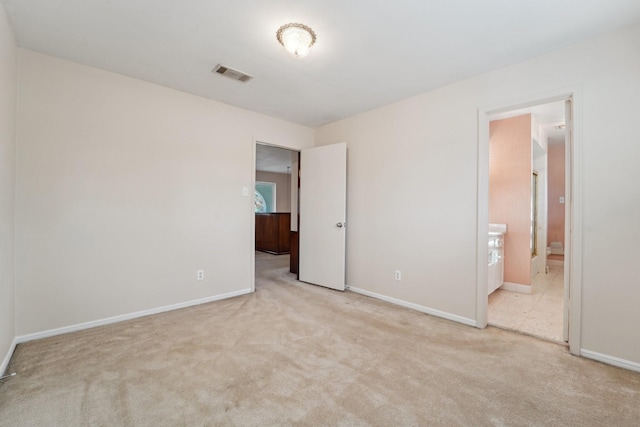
<point x="539" y="314"/>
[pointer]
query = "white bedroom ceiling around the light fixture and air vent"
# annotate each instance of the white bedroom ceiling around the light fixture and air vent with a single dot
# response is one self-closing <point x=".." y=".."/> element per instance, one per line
<point x="368" y="54"/>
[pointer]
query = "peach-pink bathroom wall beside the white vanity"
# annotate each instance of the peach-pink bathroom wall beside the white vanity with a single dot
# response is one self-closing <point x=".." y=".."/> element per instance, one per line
<point x="510" y="192"/>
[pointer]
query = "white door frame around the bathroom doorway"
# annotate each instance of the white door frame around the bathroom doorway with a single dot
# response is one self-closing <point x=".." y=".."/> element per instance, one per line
<point x="573" y="229"/>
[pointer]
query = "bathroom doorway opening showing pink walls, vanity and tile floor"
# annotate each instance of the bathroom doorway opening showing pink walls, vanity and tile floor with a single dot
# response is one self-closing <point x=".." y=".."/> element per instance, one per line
<point x="527" y="295"/>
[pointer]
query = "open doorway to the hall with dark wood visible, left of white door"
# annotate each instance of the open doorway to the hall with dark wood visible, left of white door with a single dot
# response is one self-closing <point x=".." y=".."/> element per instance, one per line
<point x="276" y="214"/>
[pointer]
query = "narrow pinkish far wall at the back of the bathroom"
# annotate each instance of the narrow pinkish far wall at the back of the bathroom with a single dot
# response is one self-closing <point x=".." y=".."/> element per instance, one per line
<point x="556" y="189"/>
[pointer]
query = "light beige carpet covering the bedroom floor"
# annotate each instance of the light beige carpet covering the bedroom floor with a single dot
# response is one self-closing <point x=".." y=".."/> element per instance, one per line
<point x="296" y="354"/>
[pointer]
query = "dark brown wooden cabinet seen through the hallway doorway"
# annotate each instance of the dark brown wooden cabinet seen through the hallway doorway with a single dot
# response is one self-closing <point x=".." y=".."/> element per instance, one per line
<point x="272" y="232"/>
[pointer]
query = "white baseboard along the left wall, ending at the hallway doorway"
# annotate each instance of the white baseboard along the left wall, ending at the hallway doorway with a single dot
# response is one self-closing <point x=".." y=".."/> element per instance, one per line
<point x="73" y="328"/>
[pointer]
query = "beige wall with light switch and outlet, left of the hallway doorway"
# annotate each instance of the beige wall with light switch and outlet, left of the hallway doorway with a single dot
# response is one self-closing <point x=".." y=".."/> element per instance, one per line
<point x="125" y="189"/>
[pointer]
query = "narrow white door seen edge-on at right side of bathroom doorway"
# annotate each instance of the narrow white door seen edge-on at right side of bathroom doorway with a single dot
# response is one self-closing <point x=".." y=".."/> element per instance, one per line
<point x="568" y="144"/>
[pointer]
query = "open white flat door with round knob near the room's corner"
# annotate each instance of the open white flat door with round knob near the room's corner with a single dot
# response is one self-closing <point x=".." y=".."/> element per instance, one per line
<point x="323" y="213"/>
